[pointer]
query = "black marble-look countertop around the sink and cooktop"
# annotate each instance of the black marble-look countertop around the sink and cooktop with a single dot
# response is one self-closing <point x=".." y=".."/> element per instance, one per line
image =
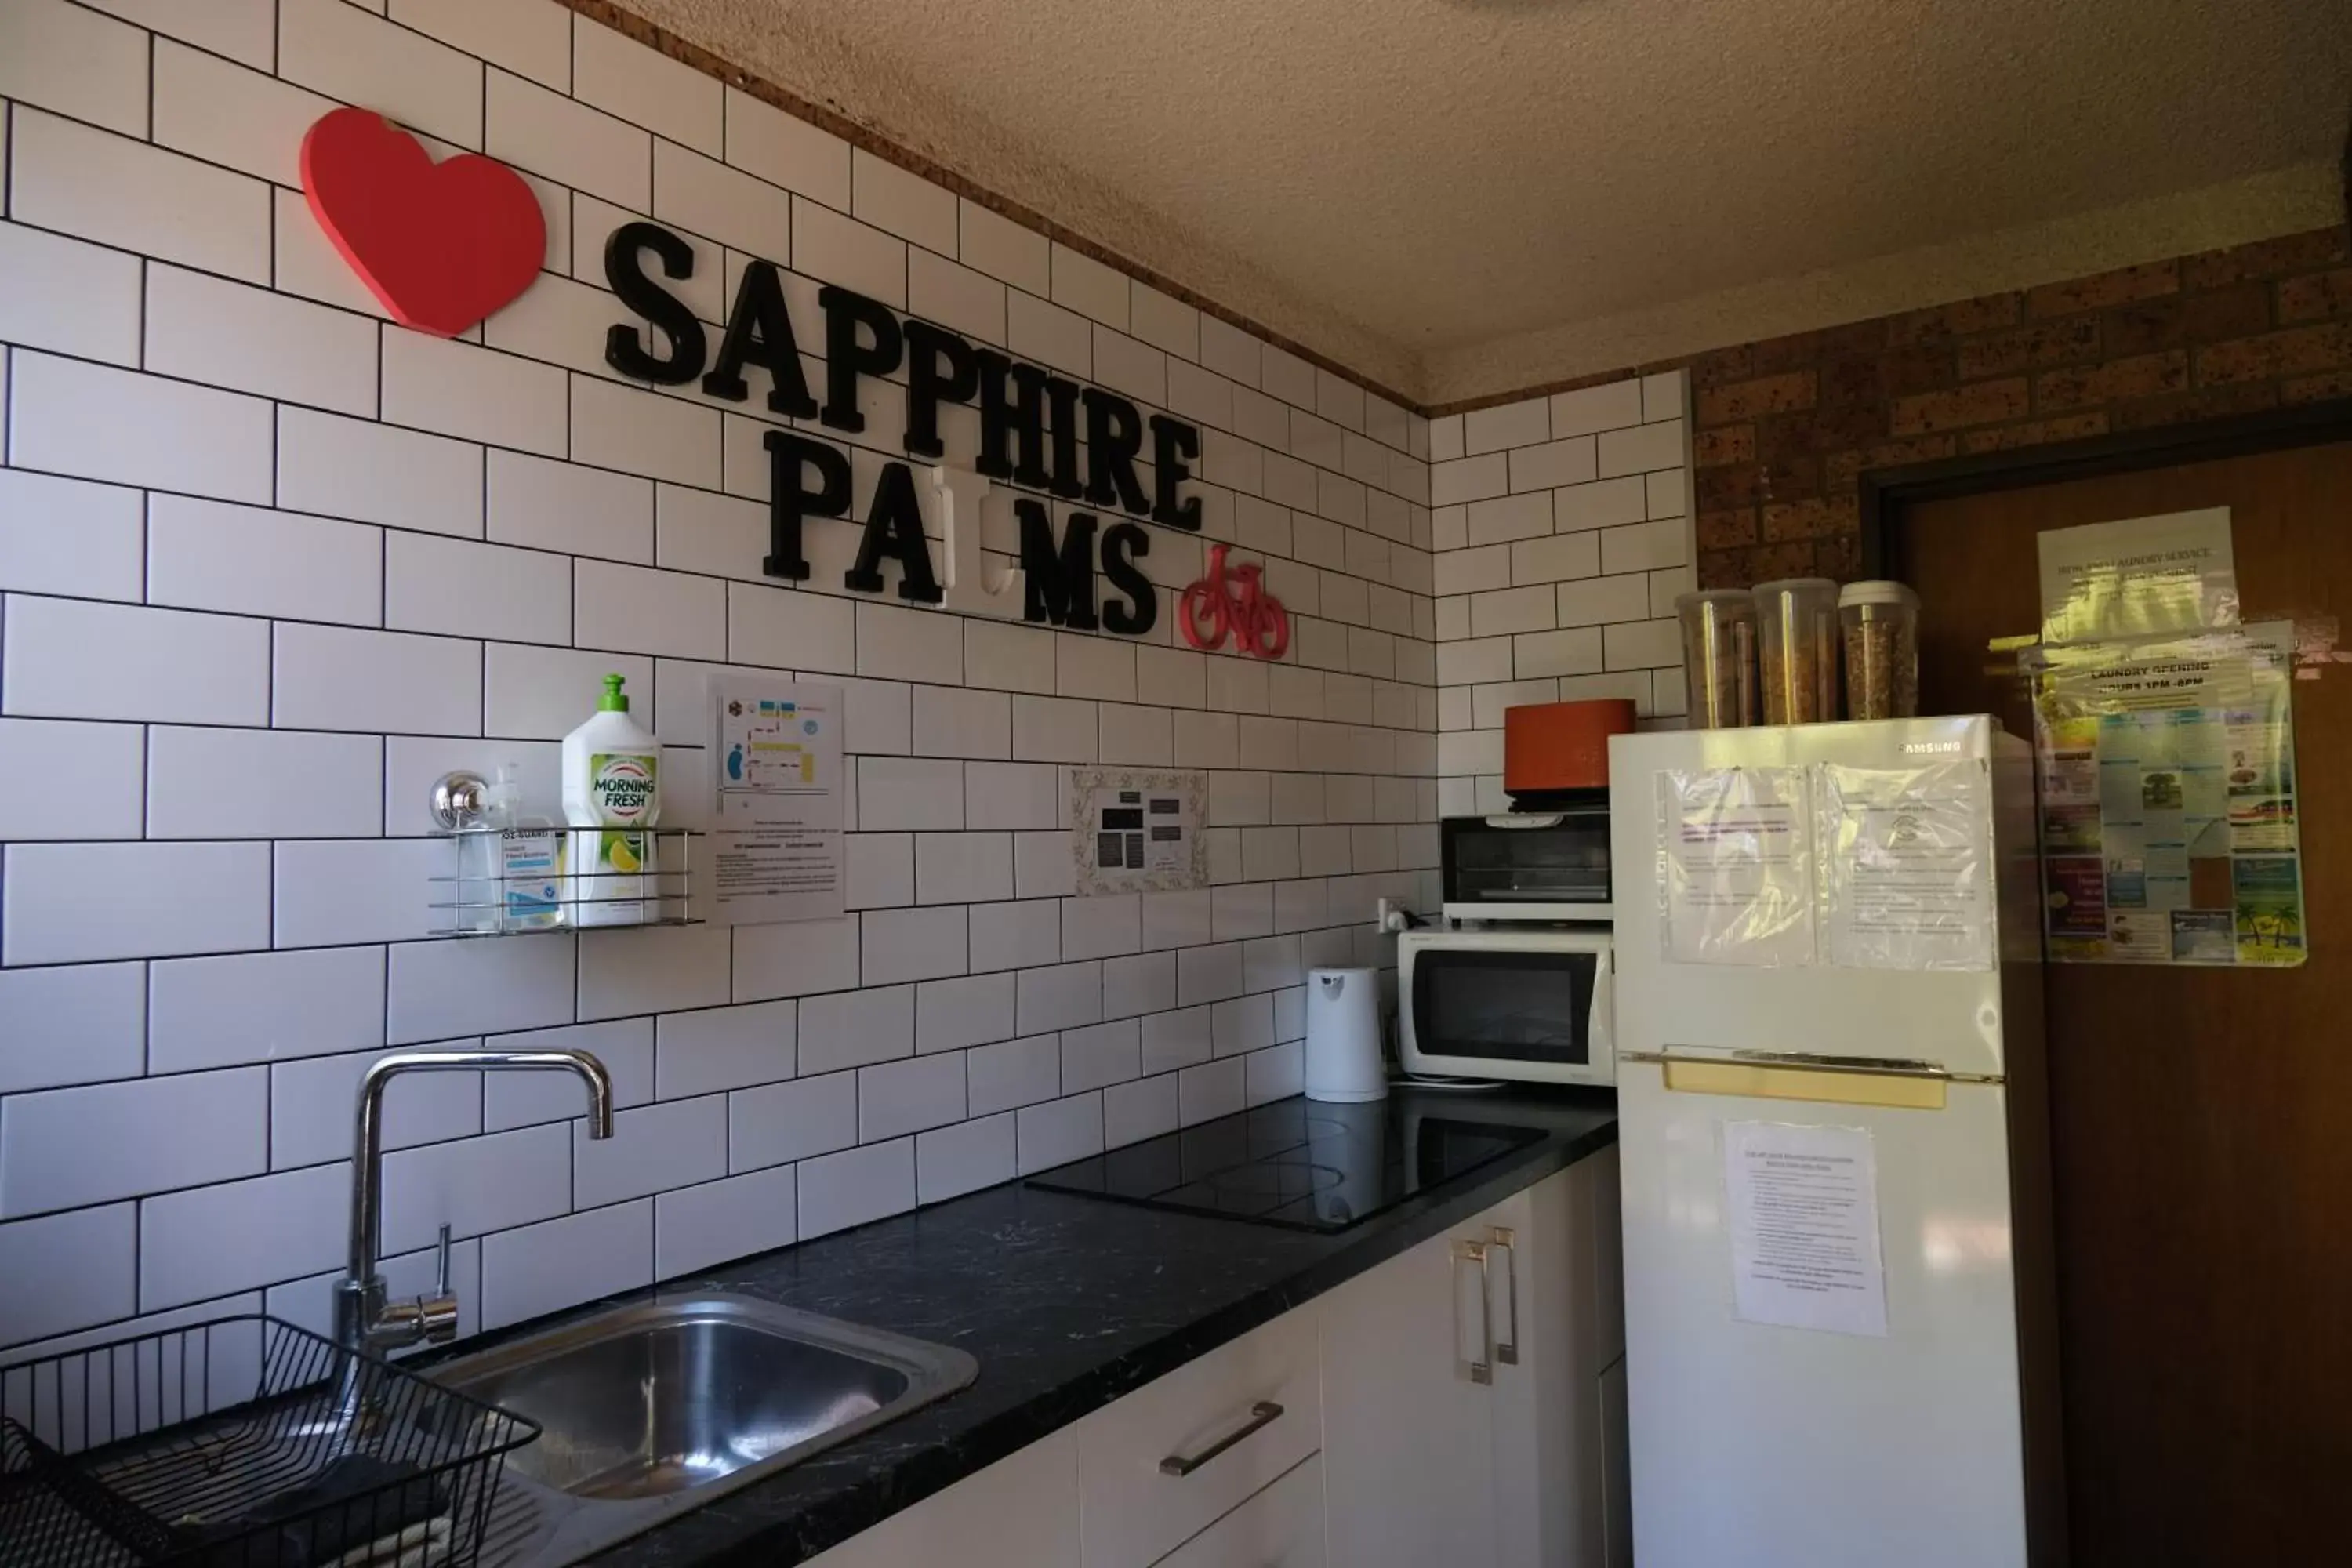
<point x="1067" y="1304"/>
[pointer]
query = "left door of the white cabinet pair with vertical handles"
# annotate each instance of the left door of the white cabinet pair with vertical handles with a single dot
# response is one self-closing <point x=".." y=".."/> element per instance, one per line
<point x="1408" y="1435"/>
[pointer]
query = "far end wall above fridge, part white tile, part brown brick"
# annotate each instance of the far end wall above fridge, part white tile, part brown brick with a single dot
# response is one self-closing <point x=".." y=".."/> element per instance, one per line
<point x="1779" y="434"/>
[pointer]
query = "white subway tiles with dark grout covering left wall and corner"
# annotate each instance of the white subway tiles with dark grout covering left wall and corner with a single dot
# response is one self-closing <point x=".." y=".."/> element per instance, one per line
<point x="272" y="563"/>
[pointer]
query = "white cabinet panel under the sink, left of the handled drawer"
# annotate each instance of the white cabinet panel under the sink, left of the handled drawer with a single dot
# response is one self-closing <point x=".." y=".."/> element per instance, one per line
<point x="1020" y="1513"/>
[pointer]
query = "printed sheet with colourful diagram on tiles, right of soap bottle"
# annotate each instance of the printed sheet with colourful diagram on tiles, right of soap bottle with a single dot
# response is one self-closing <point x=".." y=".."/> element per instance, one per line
<point x="777" y="812"/>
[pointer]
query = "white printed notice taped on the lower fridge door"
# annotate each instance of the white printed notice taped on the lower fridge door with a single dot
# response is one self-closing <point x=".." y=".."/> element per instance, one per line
<point x="1805" y="1228"/>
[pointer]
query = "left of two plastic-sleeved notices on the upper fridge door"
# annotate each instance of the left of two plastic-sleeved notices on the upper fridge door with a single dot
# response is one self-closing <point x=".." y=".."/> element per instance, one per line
<point x="1735" y="866"/>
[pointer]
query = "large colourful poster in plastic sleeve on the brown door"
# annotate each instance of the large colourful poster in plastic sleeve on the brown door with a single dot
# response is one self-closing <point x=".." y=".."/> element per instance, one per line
<point x="2170" y="798"/>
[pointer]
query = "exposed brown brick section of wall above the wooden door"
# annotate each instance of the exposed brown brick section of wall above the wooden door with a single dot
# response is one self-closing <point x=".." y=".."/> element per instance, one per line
<point x="1782" y="429"/>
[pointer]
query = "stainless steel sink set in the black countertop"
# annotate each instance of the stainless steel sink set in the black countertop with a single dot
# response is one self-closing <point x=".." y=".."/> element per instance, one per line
<point x="664" y="1407"/>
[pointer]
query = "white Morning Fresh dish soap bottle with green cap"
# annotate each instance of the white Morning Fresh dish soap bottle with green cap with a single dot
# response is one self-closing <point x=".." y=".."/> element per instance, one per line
<point x="613" y="798"/>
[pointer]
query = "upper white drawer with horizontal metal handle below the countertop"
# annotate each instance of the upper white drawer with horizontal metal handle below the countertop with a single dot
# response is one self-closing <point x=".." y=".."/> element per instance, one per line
<point x="1132" y="1510"/>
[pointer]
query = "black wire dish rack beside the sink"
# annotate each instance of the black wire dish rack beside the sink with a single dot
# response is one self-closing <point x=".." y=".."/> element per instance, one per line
<point x="243" y="1445"/>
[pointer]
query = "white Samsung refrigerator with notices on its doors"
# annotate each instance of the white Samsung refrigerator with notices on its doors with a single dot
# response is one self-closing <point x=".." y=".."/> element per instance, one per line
<point x="1838" y="1278"/>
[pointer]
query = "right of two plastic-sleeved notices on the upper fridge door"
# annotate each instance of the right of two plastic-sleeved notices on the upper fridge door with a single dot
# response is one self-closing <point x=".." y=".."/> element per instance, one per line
<point x="1906" y="866"/>
